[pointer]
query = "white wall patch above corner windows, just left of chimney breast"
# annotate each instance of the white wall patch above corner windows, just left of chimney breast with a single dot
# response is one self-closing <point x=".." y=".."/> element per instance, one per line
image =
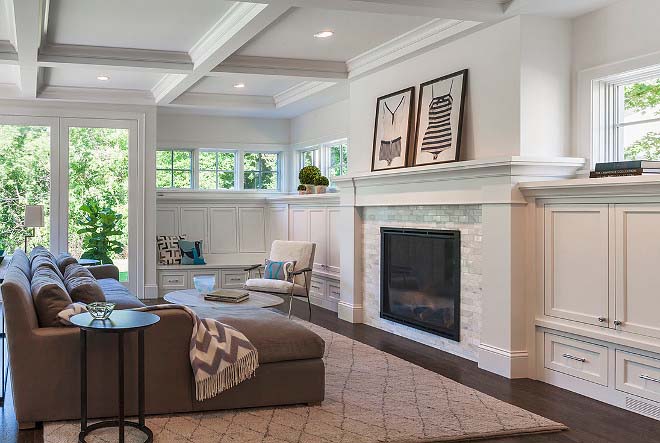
<point x="321" y="125"/>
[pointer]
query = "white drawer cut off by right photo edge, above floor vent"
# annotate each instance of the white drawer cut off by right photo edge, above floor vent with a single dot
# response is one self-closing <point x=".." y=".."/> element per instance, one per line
<point x="638" y="375"/>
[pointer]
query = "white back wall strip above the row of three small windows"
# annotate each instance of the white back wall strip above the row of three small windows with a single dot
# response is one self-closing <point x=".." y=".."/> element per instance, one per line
<point x="221" y="132"/>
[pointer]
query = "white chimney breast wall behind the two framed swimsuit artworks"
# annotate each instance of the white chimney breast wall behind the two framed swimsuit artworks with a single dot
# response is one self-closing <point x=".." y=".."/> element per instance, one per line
<point x="492" y="115"/>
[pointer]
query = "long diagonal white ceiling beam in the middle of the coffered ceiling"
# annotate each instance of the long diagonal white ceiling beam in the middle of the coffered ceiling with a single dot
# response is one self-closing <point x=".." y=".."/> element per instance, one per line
<point x="237" y="26"/>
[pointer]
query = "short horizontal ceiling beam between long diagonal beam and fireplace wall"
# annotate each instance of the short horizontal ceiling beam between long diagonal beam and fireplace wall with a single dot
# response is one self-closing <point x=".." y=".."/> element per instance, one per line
<point x="285" y="67"/>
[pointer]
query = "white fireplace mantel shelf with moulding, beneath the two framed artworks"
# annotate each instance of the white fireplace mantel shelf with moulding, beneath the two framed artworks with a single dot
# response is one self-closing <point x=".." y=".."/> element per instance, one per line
<point x="468" y="182"/>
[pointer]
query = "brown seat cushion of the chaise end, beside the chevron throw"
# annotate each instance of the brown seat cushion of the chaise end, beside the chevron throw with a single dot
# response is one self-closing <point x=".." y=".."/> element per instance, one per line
<point x="275" y="336"/>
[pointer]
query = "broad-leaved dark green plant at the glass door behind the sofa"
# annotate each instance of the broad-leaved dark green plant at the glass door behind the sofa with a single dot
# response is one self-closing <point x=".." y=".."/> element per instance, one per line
<point x="99" y="224"/>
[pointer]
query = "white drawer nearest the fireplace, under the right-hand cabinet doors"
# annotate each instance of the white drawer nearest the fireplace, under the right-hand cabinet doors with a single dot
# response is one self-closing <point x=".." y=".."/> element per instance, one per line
<point x="576" y="358"/>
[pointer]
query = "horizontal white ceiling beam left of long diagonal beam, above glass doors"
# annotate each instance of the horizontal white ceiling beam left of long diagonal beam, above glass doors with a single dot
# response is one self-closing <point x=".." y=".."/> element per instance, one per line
<point x="116" y="58"/>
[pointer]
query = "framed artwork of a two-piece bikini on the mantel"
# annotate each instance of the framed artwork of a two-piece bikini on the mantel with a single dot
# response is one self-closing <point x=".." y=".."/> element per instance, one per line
<point x="392" y="130"/>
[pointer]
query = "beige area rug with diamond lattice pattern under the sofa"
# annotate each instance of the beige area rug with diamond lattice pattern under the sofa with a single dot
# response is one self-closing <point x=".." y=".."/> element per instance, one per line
<point x="371" y="396"/>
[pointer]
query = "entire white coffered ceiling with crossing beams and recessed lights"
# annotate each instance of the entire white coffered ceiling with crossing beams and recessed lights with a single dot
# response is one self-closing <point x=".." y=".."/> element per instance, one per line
<point x="224" y="57"/>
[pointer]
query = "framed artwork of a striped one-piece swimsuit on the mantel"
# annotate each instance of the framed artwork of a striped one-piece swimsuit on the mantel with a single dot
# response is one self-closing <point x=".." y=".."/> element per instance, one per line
<point x="440" y="119"/>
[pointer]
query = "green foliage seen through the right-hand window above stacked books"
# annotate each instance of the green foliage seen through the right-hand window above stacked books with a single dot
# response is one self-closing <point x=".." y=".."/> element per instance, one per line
<point x="644" y="98"/>
